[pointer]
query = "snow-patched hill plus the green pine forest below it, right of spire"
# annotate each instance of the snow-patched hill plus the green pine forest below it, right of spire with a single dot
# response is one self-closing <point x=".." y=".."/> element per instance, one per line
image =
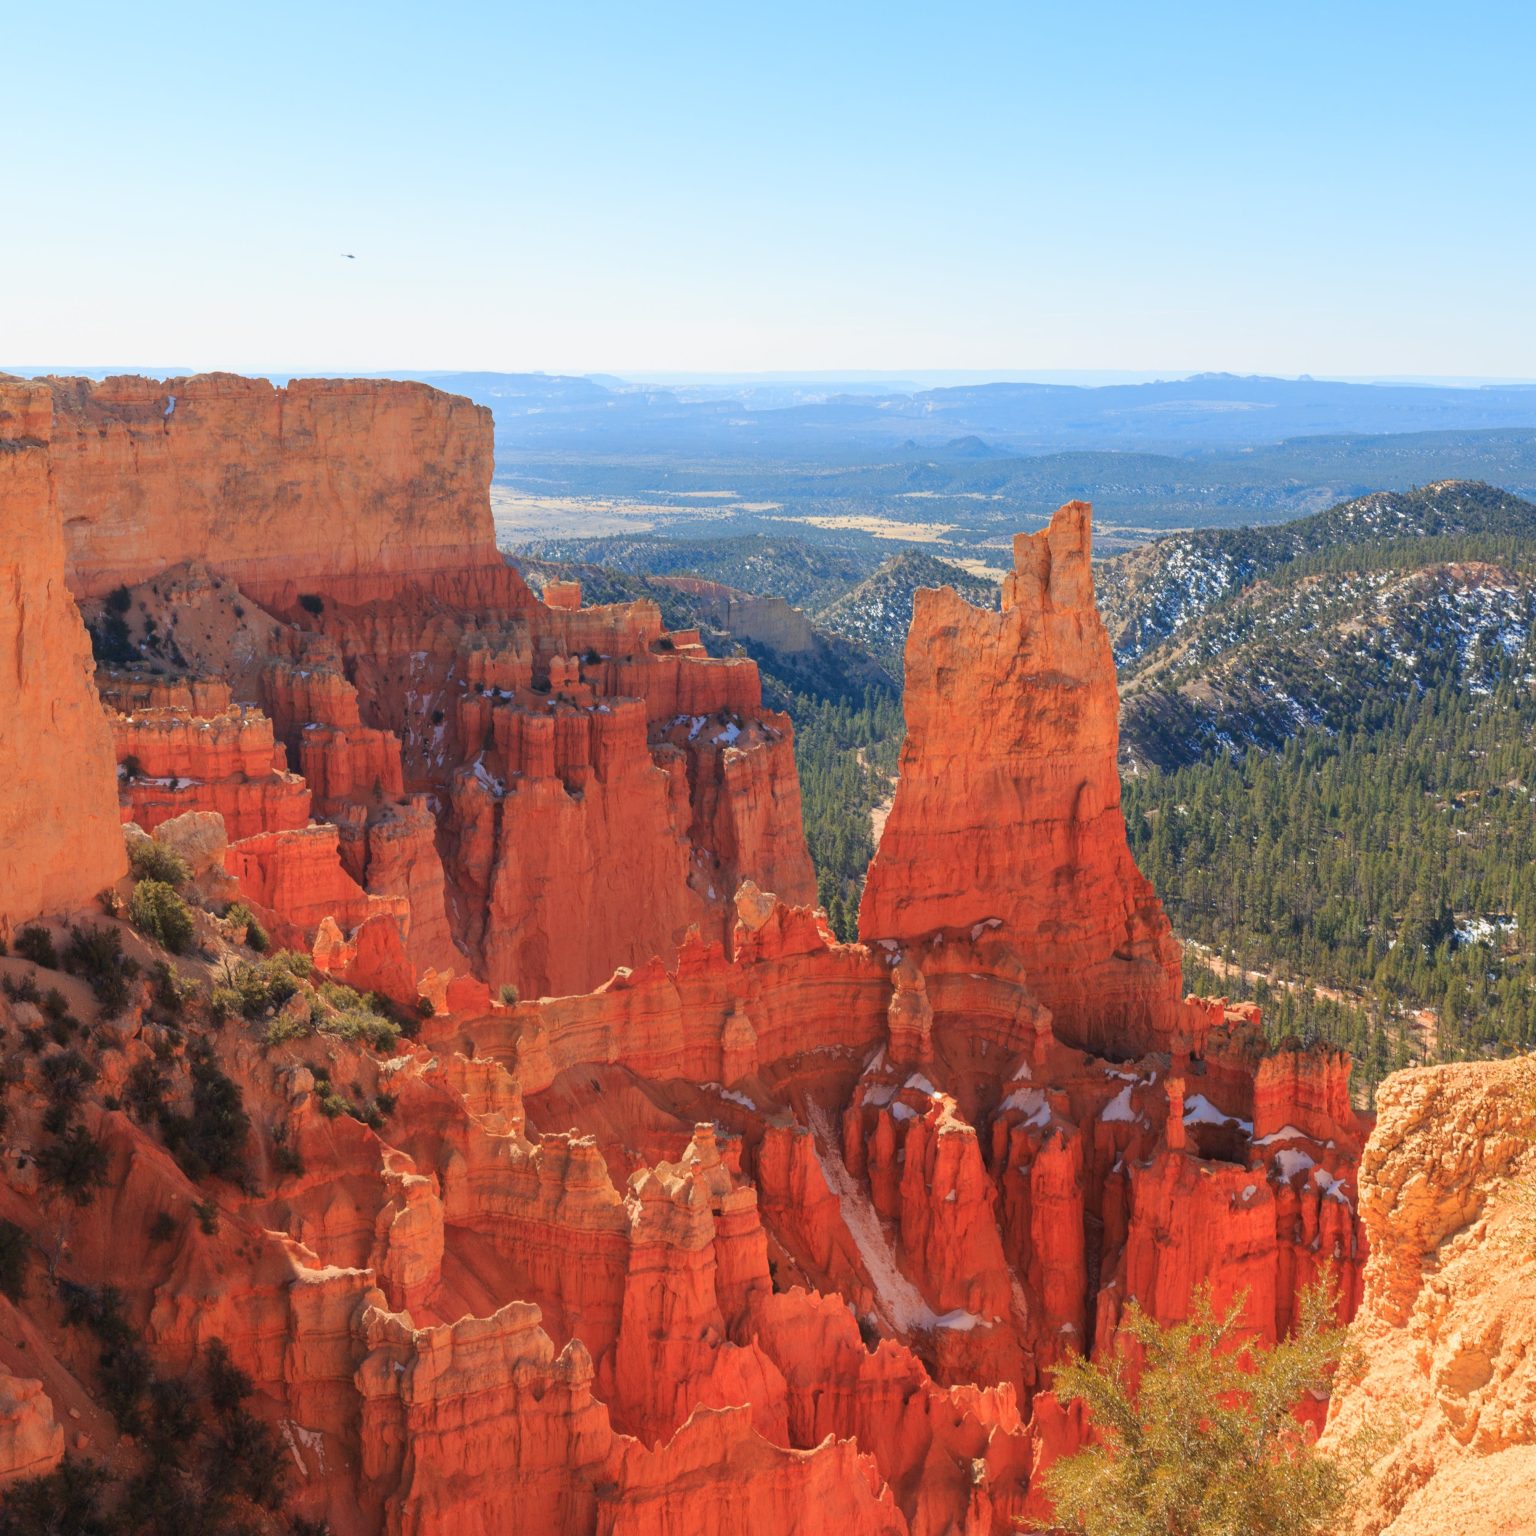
<point x="1329" y="738"/>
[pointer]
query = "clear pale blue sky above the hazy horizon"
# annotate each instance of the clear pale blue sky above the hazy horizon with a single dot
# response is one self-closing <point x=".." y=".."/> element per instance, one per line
<point x="1343" y="188"/>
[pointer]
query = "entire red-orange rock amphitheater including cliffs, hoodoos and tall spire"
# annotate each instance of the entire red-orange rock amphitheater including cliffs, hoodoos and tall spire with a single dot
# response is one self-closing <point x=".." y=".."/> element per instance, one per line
<point x="713" y="1225"/>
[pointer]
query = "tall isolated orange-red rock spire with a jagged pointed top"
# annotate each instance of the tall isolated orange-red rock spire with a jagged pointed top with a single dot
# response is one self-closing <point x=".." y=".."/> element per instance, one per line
<point x="1008" y="806"/>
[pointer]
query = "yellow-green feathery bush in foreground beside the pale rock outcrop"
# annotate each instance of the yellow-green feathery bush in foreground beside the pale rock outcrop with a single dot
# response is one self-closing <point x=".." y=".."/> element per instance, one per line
<point x="1203" y="1448"/>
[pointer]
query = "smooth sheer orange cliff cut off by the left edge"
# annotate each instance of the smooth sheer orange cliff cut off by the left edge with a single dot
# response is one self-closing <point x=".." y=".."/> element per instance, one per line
<point x="59" y="836"/>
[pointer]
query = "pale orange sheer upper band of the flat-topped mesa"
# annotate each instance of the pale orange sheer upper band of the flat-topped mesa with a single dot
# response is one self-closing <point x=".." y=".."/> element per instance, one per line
<point x="317" y="488"/>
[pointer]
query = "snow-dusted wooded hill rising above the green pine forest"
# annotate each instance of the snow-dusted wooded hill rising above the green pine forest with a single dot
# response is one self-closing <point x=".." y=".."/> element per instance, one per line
<point x="1246" y="638"/>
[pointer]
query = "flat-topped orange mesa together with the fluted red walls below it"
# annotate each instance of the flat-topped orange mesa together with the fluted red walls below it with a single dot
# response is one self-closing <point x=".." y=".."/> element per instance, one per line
<point x="408" y="669"/>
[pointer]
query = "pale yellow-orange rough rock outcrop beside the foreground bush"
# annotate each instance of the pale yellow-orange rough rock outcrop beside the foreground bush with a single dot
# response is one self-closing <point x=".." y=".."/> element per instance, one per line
<point x="1438" y="1388"/>
